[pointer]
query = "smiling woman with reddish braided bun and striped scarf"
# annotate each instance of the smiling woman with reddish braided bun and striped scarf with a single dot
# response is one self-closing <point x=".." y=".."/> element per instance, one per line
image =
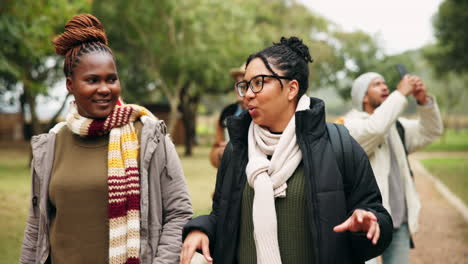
<point x="108" y="185"/>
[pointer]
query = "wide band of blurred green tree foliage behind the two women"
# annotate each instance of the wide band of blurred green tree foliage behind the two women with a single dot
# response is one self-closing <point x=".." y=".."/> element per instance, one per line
<point x="178" y="51"/>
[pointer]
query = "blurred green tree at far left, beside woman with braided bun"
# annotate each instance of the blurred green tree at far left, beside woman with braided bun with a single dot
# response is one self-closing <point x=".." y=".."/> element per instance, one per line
<point x="27" y="55"/>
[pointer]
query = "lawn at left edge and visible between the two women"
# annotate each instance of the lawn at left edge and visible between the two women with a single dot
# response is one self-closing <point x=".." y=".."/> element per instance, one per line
<point x="15" y="186"/>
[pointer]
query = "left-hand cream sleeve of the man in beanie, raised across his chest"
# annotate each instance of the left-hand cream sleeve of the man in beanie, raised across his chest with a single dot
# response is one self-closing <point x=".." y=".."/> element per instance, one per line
<point x="370" y="132"/>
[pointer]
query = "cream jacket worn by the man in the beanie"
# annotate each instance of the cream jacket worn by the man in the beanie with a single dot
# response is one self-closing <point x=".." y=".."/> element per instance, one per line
<point x="371" y="132"/>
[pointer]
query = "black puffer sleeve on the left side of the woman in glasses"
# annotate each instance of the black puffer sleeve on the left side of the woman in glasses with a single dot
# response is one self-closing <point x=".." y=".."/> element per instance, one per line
<point x="207" y="223"/>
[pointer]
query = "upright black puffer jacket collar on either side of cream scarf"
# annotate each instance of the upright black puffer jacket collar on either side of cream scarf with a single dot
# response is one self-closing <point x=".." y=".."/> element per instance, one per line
<point x="310" y="122"/>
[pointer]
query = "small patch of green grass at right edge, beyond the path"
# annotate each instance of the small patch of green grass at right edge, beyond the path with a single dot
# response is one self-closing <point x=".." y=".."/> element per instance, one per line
<point x="450" y="141"/>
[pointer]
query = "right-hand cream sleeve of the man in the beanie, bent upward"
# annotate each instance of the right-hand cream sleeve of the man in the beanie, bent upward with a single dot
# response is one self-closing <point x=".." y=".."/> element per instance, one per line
<point x="419" y="133"/>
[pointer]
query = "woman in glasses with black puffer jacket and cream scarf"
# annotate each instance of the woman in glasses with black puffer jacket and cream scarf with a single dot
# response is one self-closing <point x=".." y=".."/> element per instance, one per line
<point x="280" y="196"/>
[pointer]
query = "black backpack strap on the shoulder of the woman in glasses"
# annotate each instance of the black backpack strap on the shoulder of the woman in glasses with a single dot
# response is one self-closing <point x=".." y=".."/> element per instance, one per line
<point x="340" y="140"/>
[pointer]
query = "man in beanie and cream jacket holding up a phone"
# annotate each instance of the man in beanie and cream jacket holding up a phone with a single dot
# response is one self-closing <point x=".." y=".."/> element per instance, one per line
<point x="373" y="122"/>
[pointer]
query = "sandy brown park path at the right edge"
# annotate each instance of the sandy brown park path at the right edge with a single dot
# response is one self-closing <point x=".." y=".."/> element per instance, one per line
<point x="443" y="232"/>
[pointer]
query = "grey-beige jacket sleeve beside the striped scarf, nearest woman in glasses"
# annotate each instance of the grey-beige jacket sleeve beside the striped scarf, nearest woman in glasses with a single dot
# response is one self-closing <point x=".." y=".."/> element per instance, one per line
<point x="177" y="208"/>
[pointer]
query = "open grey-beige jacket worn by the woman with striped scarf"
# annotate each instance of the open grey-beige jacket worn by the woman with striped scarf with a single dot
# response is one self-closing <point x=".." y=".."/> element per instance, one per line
<point x="165" y="203"/>
